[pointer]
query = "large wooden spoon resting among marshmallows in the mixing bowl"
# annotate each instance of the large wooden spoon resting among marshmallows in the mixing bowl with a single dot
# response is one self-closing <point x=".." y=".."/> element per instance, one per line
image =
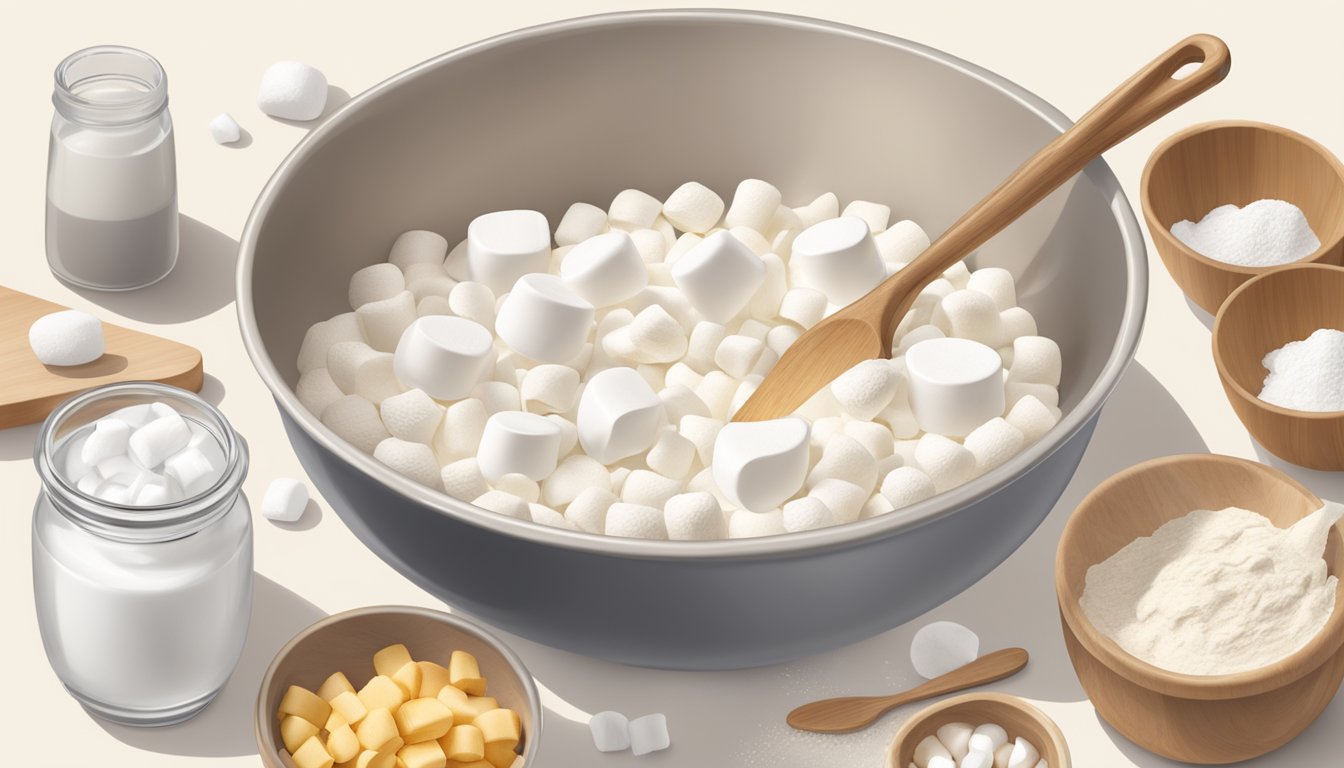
<point x="864" y="330"/>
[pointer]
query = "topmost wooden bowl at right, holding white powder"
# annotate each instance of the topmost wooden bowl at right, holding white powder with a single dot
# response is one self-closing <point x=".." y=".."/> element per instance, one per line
<point x="1237" y="162"/>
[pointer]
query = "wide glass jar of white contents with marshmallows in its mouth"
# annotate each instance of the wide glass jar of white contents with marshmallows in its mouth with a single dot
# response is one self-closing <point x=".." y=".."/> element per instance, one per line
<point x="143" y="610"/>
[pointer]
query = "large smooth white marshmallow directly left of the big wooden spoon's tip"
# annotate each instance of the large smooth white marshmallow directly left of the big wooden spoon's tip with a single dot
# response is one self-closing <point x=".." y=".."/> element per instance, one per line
<point x="619" y="416"/>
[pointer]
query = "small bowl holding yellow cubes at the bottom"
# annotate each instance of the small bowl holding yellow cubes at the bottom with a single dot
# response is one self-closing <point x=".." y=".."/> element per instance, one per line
<point x="347" y="642"/>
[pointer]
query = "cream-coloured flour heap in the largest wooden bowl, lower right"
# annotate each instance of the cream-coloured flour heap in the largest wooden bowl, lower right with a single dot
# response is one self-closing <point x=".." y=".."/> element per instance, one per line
<point x="1216" y="592"/>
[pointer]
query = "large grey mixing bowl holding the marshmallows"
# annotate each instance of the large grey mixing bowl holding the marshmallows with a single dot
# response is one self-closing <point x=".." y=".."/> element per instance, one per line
<point x="581" y="110"/>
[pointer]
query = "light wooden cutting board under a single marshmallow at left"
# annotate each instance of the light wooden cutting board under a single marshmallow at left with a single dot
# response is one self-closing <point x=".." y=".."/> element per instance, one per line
<point x="30" y="391"/>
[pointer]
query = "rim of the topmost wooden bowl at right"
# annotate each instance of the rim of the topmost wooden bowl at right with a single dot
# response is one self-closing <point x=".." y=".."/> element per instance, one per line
<point x="1165" y="239"/>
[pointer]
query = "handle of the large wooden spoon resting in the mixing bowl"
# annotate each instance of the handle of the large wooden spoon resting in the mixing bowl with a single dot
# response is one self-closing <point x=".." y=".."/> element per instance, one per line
<point x="1143" y="99"/>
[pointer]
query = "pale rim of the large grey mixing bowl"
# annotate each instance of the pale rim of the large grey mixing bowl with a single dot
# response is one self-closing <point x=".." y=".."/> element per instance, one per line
<point x="779" y="547"/>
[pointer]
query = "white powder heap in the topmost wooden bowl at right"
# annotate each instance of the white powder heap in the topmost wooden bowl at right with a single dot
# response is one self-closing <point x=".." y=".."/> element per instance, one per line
<point x="1265" y="233"/>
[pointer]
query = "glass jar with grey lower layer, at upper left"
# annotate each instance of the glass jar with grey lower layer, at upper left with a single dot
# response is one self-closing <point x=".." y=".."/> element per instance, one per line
<point x="112" y="174"/>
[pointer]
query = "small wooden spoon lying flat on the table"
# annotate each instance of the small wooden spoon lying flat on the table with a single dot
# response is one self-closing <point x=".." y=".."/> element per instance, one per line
<point x="858" y="712"/>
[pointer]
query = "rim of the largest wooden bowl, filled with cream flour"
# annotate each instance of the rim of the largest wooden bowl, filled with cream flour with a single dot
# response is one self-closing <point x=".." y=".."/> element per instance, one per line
<point x="1302" y="662"/>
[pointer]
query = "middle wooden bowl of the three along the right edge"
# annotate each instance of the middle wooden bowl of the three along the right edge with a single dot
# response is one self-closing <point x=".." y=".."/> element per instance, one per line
<point x="1263" y="315"/>
